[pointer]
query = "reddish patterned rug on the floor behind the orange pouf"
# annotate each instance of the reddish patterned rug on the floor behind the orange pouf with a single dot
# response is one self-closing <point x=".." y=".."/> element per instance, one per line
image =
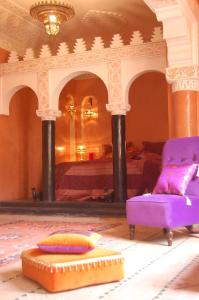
<point x="21" y="234"/>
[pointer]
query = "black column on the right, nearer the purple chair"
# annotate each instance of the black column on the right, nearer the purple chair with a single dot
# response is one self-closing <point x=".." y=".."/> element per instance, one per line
<point x="119" y="158"/>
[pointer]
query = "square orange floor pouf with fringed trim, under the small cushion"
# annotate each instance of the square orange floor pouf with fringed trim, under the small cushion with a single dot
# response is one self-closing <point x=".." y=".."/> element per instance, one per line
<point x="60" y="272"/>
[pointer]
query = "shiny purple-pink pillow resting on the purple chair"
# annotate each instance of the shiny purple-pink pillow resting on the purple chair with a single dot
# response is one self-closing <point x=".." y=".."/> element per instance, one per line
<point x="174" y="179"/>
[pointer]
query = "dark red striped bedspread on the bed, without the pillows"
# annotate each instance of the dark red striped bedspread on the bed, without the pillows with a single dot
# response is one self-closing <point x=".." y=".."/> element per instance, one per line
<point x="80" y="180"/>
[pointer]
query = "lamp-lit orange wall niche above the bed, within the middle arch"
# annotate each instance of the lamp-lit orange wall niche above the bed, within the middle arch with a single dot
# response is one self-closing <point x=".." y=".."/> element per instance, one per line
<point x="84" y="119"/>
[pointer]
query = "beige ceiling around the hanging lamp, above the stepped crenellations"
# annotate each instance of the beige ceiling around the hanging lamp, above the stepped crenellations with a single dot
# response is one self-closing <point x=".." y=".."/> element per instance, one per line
<point x="18" y="30"/>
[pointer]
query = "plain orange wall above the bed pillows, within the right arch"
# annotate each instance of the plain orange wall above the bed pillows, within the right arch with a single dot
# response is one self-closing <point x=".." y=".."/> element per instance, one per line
<point x="148" y="118"/>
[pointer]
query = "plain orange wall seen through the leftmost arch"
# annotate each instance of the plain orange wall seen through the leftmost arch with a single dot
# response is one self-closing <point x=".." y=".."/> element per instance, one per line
<point x="20" y="151"/>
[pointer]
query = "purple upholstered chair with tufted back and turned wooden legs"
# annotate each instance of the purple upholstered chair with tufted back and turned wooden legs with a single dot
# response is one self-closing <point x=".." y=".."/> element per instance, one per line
<point x="169" y="211"/>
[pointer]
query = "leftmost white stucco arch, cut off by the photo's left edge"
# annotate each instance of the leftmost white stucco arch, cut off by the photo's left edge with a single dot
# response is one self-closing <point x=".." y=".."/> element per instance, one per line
<point x="12" y="84"/>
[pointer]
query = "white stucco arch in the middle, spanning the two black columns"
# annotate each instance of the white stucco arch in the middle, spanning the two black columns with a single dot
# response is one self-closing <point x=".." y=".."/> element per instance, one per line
<point x="61" y="77"/>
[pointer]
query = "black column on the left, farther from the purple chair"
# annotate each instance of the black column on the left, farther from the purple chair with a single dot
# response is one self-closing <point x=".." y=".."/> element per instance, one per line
<point x="48" y="160"/>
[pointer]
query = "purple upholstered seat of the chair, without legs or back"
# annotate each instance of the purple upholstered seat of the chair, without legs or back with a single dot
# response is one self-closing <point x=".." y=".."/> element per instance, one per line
<point x="162" y="210"/>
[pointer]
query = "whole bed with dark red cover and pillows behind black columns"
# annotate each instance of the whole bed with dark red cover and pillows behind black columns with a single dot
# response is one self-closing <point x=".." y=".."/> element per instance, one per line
<point x="93" y="180"/>
